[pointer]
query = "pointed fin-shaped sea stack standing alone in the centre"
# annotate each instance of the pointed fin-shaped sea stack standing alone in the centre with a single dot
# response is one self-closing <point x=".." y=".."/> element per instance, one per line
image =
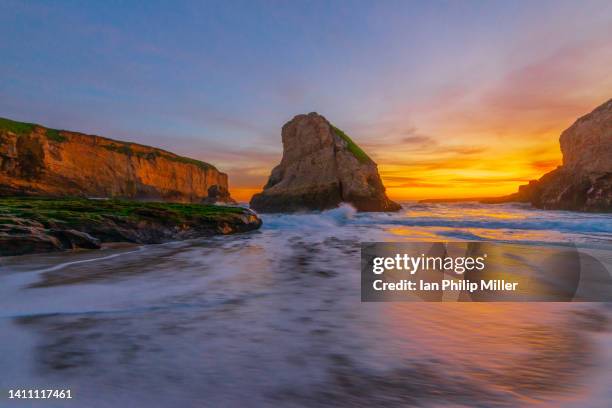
<point x="321" y="168"/>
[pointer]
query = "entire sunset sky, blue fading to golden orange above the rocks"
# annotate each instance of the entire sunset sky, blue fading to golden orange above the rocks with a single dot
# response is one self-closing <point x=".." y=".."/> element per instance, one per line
<point x="451" y="99"/>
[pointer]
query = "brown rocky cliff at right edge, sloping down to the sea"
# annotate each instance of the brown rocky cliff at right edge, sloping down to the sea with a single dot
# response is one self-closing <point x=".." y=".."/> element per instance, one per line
<point x="584" y="181"/>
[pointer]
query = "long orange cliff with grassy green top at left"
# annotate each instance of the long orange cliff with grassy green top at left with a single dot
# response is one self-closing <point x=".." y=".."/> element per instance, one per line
<point x="40" y="161"/>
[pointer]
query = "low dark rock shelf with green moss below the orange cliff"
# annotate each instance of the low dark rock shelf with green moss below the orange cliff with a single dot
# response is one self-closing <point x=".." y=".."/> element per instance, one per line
<point x="32" y="224"/>
